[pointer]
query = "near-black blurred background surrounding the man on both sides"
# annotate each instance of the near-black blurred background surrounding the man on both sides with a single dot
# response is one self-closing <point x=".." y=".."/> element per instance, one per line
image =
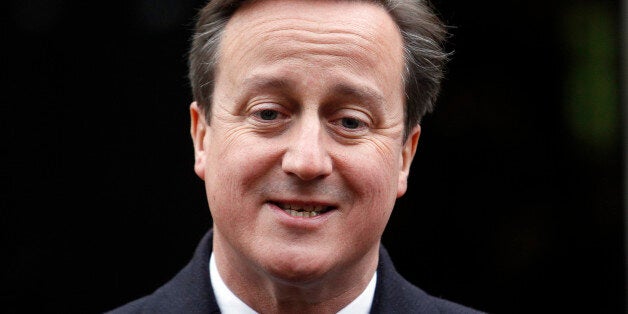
<point x="516" y="193"/>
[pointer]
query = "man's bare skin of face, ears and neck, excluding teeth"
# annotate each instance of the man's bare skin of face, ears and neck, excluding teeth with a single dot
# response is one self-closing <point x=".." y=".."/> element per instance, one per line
<point x="308" y="110"/>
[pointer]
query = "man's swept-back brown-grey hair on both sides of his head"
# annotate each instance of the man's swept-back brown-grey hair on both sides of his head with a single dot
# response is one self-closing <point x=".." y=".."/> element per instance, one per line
<point x="423" y="36"/>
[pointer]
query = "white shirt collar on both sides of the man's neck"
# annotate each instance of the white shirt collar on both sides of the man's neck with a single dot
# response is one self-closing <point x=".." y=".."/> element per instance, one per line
<point x="229" y="303"/>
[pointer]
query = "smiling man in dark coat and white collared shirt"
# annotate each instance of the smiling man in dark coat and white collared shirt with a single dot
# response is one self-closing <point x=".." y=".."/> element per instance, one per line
<point x="305" y="123"/>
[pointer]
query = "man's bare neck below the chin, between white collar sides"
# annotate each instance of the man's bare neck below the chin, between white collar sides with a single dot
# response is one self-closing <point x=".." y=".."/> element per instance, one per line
<point x="265" y="293"/>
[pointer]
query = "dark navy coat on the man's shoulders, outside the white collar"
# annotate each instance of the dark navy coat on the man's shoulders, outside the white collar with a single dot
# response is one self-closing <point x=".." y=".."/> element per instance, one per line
<point x="190" y="291"/>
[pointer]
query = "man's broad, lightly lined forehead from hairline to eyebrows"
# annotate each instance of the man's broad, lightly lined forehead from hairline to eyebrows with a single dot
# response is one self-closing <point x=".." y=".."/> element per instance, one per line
<point x="316" y="44"/>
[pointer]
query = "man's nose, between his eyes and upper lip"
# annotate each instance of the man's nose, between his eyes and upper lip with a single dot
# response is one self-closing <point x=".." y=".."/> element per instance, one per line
<point x="306" y="156"/>
